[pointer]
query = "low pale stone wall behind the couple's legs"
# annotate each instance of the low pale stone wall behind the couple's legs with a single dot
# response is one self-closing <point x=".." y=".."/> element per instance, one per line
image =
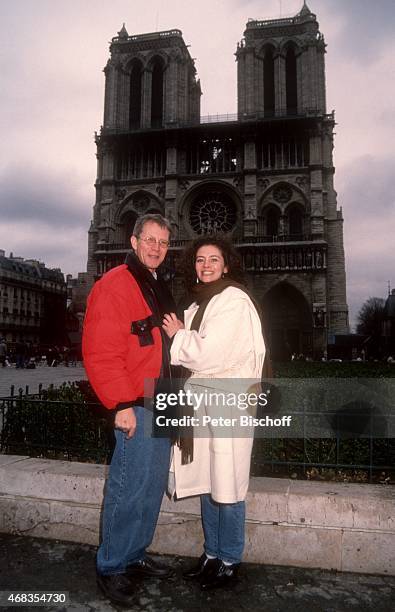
<point x="347" y="527"/>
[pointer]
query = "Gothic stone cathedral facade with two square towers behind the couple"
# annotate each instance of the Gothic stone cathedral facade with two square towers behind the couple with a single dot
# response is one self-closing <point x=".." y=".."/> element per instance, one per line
<point x="264" y="176"/>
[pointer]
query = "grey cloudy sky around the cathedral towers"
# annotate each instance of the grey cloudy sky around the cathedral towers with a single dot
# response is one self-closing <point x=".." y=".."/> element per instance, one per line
<point x="51" y="100"/>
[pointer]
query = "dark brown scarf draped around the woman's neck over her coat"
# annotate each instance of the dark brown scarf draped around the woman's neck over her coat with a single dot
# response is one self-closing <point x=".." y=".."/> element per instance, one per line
<point x="202" y="293"/>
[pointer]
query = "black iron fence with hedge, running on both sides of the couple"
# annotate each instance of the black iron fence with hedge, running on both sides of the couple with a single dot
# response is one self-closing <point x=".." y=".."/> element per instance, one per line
<point x="67" y="423"/>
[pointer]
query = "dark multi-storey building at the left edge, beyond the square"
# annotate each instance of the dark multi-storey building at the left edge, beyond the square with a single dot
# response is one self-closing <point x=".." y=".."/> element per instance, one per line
<point x="32" y="301"/>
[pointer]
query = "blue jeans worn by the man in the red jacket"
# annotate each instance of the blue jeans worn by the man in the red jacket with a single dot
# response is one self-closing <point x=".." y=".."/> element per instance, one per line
<point x="134" y="490"/>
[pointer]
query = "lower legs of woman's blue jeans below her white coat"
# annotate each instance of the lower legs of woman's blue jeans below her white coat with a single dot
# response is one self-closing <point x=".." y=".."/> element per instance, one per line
<point x="223" y="527"/>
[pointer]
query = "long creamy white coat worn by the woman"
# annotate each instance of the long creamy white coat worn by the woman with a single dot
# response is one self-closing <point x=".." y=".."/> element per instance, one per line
<point x="228" y="345"/>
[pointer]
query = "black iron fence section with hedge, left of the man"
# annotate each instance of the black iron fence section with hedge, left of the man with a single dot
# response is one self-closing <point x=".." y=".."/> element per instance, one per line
<point x="55" y="424"/>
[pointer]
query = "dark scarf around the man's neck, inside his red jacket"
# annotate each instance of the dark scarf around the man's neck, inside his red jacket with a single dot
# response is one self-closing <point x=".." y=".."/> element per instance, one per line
<point x="159" y="300"/>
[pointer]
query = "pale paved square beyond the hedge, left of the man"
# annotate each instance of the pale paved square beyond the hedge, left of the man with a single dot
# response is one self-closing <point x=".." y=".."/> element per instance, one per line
<point x="42" y="374"/>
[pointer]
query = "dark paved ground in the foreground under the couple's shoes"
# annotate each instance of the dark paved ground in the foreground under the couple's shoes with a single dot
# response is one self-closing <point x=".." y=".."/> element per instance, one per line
<point x="44" y="565"/>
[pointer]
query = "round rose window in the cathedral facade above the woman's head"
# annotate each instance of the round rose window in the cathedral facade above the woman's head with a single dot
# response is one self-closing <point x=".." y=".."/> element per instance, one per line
<point x="213" y="213"/>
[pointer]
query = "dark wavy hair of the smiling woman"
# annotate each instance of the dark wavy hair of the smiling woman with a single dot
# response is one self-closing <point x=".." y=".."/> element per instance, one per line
<point x="231" y="257"/>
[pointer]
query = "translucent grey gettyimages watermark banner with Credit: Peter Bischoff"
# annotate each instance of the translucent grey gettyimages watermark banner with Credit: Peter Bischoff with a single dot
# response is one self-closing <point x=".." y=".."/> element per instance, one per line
<point x="276" y="408"/>
